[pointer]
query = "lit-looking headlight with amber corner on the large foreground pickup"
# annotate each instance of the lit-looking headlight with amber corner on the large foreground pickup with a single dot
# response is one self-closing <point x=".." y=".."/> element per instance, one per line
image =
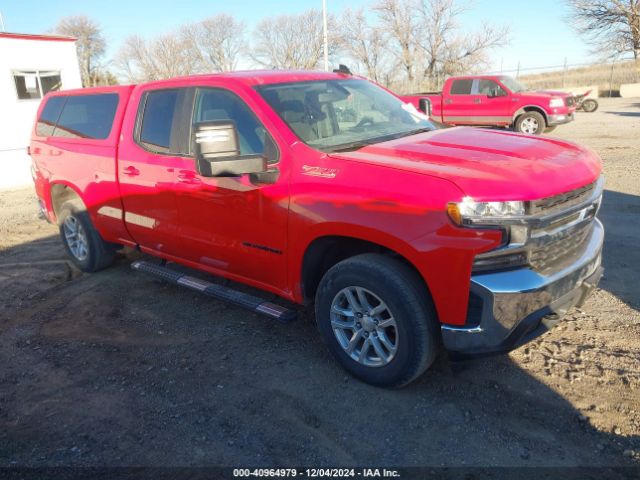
<point x="469" y="212"/>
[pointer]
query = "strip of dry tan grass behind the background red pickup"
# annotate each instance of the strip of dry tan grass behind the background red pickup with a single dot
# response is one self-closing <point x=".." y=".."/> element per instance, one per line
<point x="606" y="76"/>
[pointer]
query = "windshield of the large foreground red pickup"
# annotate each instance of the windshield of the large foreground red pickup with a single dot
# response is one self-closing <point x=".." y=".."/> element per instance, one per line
<point x="333" y="115"/>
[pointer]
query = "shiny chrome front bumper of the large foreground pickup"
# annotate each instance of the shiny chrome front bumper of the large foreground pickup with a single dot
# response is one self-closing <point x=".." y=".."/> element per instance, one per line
<point x="519" y="305"/>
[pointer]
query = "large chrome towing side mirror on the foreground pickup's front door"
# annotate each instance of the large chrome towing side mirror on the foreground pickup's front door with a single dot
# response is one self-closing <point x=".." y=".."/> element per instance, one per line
<point x="217" y="151"/>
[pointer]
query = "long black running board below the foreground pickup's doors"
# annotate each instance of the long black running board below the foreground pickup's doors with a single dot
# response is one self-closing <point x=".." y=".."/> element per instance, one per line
<point x="241" y="299"/>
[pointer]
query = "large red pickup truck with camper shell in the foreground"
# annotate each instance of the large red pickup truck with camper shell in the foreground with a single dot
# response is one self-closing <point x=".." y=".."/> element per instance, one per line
<point x="326" y="188"/>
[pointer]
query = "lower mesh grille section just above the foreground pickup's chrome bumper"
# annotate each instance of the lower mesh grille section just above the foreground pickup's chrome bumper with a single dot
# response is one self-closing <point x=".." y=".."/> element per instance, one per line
<point x="560" y="249"/>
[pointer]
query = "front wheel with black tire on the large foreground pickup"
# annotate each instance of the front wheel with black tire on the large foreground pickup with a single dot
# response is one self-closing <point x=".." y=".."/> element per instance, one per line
<point x="377" y="319"/>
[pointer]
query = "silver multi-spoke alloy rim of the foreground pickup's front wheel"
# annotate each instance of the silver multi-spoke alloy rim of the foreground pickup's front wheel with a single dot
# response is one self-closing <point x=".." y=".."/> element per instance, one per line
<point x="364" y="326"/>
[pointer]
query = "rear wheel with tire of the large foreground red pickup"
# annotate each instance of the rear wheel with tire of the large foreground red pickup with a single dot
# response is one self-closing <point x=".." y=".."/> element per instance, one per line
<point x="87" y="250"/>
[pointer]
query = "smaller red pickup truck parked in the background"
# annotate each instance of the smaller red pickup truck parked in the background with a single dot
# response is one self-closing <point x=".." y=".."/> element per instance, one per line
<point x="496" y="100"/>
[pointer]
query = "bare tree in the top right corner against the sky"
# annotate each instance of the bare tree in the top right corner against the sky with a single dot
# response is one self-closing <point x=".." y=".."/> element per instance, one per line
<point x="612" y="26"/>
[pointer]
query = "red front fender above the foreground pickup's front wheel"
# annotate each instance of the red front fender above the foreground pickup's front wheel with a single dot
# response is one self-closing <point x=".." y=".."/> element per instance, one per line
<point x="441" y="252"/>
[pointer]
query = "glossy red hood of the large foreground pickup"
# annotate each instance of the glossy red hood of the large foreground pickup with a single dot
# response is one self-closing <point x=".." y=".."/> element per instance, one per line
<point x="488" y="164"/>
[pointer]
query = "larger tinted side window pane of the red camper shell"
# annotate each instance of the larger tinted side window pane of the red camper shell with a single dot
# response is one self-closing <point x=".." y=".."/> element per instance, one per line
<point x="87" y="116"/>
